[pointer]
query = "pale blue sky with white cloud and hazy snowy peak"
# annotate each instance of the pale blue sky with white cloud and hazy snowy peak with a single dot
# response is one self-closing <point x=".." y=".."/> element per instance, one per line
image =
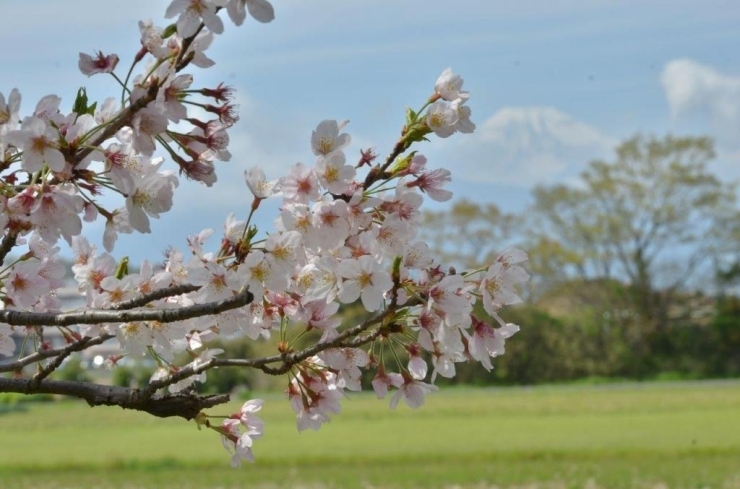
<point x="553" y="84"/>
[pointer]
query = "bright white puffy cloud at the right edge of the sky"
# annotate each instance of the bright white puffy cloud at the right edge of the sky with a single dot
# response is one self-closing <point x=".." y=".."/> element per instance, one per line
<point x="694" y="89"/>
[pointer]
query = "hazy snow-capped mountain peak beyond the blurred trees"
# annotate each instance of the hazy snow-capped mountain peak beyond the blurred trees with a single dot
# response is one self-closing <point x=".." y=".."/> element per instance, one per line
<point x="525" y="146"/>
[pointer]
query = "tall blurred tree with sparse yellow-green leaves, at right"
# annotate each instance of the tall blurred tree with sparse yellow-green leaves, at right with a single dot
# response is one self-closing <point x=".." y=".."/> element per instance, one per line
<point x="655" y="218"/>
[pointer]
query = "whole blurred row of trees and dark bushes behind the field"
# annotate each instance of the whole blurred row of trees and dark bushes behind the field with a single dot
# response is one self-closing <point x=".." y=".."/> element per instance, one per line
<point x="634" y="268"/>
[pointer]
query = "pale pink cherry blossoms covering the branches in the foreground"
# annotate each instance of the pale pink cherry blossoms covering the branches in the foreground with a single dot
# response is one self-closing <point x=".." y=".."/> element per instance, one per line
<point x="347" y="233"/>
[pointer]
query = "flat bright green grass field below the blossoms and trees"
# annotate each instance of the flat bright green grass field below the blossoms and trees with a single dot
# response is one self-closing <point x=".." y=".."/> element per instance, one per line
<point x="624" y="435"/>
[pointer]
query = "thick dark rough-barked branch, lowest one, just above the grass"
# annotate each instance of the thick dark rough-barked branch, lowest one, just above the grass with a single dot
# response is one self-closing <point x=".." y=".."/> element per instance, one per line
<point x="184" y="405"/>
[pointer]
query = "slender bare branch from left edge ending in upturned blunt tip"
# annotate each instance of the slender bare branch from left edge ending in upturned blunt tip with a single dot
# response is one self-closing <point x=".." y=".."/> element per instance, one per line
<point x="22" y="318"/>
